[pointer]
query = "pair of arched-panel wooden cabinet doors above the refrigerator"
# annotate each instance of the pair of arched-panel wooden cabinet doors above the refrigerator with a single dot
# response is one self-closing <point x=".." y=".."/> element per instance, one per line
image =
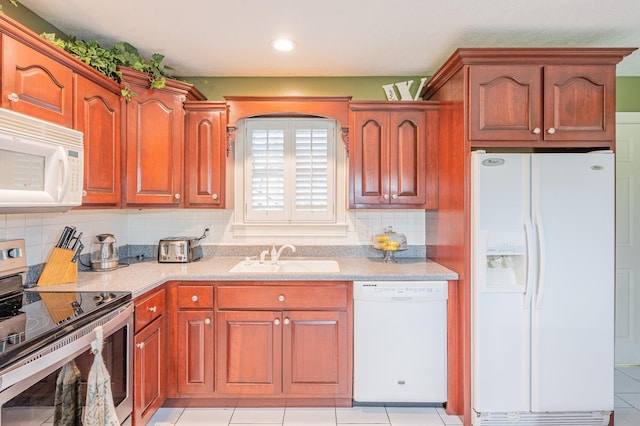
<point x="536" y="103"/>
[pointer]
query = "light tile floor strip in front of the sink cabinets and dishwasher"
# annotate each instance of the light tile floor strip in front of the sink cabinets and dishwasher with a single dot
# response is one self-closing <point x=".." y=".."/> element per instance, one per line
<point x="362" y="416"/>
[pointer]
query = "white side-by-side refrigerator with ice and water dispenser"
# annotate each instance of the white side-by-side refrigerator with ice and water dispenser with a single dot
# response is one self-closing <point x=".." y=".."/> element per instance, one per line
<point x="543" y="239"/>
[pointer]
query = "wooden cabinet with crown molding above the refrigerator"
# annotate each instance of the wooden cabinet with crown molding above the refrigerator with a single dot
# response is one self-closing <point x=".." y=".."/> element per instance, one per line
<point x="530" y="97"/>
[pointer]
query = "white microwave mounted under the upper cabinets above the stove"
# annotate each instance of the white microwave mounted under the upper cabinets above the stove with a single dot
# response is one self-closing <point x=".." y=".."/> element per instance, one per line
<point x="41" y="165"/>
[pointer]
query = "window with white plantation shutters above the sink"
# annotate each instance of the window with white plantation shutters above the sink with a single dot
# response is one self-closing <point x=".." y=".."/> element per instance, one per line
<point x="289" y="170"/>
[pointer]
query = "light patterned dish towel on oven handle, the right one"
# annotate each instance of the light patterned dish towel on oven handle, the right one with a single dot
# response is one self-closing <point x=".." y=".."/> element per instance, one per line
<point x="99" y="409"/>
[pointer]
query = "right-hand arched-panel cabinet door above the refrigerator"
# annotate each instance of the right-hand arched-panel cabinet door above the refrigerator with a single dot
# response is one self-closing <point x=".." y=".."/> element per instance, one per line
<point x="579" y="102"/>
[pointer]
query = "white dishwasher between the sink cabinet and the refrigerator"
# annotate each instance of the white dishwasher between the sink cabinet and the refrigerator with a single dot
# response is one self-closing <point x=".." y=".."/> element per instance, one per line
<point x="400" y="342"/>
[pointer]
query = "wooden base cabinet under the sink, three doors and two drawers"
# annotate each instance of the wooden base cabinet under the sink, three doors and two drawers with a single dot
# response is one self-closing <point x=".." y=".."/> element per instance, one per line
<point x="264" y="343"/>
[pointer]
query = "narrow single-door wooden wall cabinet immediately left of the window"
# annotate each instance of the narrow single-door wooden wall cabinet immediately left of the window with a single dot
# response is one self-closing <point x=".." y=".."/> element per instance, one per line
<point x="205" y="155"/>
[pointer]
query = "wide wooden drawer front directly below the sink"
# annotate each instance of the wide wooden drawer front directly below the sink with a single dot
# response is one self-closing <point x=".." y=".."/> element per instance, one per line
<point x="282" y="297"/>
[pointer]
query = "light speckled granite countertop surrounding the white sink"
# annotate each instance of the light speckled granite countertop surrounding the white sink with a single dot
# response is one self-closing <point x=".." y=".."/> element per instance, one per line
<point x="141" y="277"/>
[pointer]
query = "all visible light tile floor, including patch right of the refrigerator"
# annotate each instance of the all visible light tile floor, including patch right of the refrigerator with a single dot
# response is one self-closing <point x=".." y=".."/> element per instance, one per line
<point x="627" y="412"/>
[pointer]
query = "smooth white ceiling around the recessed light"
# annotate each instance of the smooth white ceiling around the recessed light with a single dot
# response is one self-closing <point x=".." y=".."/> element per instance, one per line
<point x="341" y="37"/>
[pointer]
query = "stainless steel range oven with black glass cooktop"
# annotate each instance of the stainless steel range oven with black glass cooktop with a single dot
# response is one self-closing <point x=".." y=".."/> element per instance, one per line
<point x="43" y="331"/>
